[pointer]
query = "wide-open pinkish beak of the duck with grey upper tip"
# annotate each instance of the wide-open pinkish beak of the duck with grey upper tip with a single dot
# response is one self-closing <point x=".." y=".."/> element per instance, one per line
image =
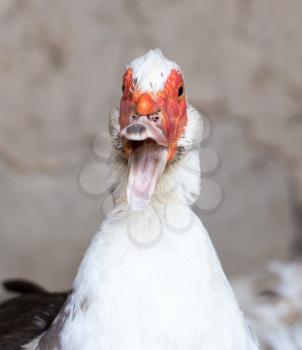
<point x="147" y="150"/>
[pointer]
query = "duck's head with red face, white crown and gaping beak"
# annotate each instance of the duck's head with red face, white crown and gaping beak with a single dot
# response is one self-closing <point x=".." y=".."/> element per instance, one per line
<point x="151" y="122"/>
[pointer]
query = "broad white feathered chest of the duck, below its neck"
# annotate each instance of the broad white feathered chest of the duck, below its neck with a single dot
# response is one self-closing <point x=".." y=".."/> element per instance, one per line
<point x="168" y="294"/>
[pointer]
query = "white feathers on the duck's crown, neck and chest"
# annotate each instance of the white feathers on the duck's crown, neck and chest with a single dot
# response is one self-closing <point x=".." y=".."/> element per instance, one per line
<point x="151" y="280"/>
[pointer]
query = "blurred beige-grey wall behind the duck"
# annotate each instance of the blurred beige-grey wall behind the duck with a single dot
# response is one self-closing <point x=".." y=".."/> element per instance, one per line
<point x="61" y="64"/>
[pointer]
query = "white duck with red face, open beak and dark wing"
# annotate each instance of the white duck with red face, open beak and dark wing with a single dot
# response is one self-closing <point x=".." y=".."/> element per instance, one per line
<point x="151" y="278"/>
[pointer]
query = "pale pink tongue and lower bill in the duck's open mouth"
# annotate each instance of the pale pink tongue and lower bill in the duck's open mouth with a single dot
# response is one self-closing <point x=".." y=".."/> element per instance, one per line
<point x="147" y="164"/>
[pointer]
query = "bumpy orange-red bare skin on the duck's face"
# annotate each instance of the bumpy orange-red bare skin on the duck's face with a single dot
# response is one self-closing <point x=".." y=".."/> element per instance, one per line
<point x="168" y="104"/>
